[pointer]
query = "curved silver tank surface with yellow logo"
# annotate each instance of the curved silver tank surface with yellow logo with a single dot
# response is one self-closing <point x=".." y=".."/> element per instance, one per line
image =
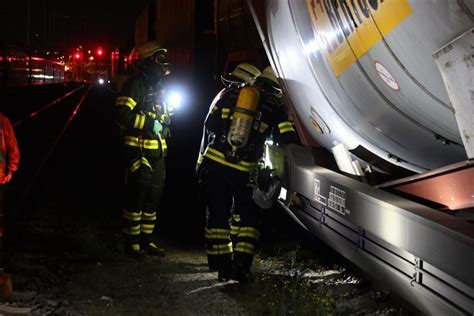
<point x="361" y="73"/>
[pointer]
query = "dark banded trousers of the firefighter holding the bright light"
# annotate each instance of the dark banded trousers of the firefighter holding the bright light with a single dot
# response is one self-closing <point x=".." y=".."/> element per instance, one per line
<point x="143" y="191"/>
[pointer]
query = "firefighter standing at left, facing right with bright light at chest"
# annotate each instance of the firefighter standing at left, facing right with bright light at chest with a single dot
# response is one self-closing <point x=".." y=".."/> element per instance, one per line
<point x="139" y="110"/>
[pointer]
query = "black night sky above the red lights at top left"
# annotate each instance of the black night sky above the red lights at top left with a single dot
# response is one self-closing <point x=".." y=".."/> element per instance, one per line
<point x="62" y="25"/>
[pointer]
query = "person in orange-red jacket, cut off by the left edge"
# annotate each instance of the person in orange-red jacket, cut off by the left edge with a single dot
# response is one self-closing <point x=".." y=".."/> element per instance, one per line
<point x="9" y="158"/>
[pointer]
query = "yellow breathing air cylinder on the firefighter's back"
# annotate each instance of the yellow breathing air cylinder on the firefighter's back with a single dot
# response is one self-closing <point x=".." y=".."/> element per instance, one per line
<point x="243" y="117"/>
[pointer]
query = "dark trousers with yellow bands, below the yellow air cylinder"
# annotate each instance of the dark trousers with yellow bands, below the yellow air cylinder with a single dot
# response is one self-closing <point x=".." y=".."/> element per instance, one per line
<point x="232" y="218"/>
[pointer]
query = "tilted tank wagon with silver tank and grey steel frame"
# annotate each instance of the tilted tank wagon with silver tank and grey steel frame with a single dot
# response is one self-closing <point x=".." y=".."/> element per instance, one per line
<point x="386" y="88"/>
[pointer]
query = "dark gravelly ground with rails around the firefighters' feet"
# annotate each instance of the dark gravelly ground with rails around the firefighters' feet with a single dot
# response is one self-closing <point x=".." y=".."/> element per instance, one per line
<point x="66" y="249"/>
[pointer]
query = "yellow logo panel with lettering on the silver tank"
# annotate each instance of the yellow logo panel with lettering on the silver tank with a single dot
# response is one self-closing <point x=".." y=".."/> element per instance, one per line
<point x="347" y="29"/>
